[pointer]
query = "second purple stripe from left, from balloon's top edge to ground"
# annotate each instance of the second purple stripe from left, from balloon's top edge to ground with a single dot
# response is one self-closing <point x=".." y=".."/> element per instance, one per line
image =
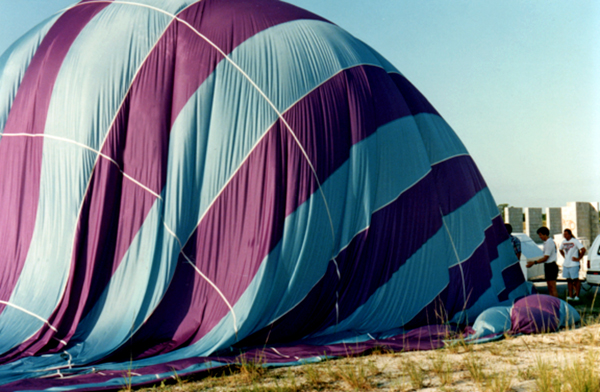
<point x="138" y="142"/>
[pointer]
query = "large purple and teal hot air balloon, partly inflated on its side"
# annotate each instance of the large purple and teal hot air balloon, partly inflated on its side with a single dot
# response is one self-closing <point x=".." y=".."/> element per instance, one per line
<point x="183" y="180"/>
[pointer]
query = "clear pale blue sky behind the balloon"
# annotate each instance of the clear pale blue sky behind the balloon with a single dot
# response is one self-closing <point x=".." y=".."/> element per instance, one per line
<point x="519" y="81"/>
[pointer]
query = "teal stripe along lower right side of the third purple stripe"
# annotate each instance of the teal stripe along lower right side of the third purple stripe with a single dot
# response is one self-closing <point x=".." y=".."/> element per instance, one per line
<point x="292" y="268"/>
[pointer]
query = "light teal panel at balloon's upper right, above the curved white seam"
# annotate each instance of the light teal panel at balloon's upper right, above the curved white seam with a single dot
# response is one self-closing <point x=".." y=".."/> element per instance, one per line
<point x="289" y="60"/>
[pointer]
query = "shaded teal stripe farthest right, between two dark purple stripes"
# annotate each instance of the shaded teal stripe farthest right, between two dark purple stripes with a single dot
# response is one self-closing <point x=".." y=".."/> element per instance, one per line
<point x="405" y="292"/>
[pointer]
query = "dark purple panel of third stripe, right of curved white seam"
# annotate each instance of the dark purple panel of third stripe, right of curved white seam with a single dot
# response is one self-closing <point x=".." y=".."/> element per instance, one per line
<point x="359" y="100"/>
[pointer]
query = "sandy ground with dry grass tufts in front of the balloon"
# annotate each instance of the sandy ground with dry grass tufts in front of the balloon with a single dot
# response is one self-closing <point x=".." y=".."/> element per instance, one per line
<point x="562" y="361"/>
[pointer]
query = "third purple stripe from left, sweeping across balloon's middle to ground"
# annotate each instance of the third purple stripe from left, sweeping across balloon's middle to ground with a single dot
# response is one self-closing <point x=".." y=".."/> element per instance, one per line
<point x="276" y="171"/>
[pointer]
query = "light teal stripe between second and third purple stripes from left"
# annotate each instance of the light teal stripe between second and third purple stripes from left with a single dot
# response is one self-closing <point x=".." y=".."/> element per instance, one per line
<point x="210" y="139"/>
